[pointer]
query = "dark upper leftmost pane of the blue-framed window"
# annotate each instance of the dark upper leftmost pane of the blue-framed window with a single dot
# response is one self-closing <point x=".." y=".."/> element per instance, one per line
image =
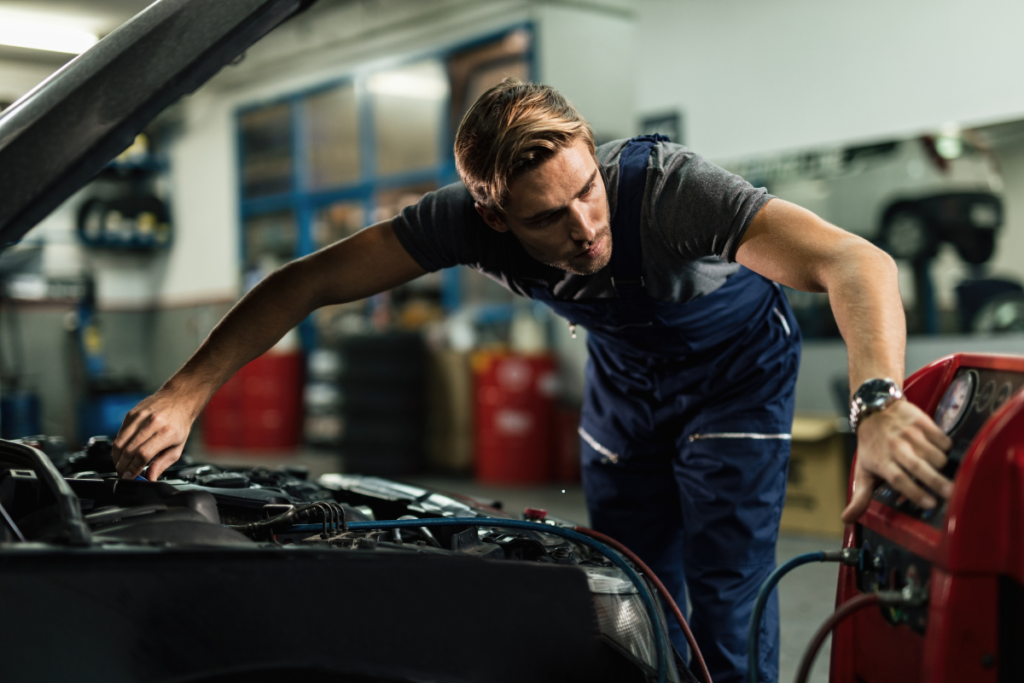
<point x="267" y="145"/>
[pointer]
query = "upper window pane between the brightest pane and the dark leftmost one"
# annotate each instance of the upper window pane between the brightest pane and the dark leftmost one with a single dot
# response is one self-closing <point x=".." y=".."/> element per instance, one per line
<point x="333" y="138"/>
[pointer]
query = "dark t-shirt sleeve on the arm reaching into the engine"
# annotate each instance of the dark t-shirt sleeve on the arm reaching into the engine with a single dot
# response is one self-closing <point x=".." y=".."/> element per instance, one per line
<point x="442" y="230"/>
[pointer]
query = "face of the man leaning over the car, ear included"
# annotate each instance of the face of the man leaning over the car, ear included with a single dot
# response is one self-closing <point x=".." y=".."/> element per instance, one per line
<point x="560" y="212"/>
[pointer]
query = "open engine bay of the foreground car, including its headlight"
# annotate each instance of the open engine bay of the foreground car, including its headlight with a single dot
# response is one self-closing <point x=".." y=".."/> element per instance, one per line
<point x="53" y="499"/>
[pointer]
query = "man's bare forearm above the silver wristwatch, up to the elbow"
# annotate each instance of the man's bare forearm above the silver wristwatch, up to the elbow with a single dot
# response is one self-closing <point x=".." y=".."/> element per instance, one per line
<point x="864" y="291"/>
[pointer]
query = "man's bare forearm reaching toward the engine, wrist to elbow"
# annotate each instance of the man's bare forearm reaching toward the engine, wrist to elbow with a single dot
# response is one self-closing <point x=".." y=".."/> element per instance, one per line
<point x="264" y="316"/>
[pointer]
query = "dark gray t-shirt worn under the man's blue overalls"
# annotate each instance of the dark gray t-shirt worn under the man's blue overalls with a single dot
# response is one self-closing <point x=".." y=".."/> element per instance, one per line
<point x="693" y="219"/>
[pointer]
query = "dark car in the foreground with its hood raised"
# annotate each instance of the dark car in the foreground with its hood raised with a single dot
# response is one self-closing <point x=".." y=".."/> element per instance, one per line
<point x="219" y="575"/>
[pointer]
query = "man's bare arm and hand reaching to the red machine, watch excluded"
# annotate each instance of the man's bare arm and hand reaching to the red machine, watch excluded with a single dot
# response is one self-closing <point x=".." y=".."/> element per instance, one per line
<point x="793" y="246"/>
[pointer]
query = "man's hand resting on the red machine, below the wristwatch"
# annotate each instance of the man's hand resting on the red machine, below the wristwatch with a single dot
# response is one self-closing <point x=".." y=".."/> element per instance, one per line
<point x="901" y="445"/>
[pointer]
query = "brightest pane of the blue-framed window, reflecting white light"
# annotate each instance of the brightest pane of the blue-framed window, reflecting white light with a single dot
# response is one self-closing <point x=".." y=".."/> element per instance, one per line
<point x="409" y="110"/>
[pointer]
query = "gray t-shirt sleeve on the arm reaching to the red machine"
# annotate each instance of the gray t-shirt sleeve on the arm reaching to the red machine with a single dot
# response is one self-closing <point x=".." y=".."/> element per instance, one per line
<point x="700" y="209"/>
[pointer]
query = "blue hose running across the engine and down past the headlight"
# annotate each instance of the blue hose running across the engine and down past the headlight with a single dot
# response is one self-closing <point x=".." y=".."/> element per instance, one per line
<point x="661" y="641"/>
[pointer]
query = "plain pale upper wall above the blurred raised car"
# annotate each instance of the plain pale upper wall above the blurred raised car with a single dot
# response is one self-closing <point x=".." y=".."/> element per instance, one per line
<point x="755" y="77"/>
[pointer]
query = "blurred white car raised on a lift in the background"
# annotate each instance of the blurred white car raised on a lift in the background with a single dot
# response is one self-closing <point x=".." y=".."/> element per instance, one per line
<point x="907" y="196"/>
